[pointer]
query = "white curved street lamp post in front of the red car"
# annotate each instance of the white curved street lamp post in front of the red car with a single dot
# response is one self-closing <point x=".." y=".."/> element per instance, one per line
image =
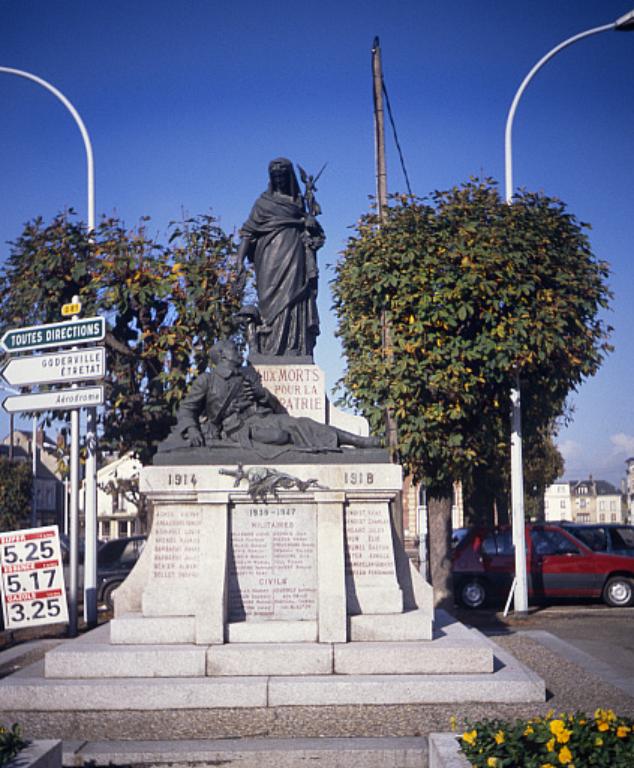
<point x="623" y="24"/>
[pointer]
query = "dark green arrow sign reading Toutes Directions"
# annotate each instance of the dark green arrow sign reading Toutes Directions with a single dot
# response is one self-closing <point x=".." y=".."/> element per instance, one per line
<point x="65" y="334"/>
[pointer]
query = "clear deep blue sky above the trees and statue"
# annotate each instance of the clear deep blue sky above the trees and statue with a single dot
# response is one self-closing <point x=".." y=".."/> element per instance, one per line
<point x="187" y="102"/>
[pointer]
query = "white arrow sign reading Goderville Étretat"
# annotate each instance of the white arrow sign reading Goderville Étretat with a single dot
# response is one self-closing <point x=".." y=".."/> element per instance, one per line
<point x="86" y="364"/>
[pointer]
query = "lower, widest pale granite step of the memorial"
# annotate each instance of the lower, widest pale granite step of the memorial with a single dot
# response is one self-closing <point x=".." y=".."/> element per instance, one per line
<point x="29" y="691"/>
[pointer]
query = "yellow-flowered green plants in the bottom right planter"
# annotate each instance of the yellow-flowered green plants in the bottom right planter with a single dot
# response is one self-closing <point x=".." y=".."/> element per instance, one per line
<point x="575" y="740"/>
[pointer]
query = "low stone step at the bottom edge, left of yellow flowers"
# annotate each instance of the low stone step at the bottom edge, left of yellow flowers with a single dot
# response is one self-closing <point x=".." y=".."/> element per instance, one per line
<point x="404" y="752"/>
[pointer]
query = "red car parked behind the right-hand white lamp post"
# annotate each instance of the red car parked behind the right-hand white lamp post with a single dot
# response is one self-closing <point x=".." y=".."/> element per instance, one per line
<point x="558" y="566"/>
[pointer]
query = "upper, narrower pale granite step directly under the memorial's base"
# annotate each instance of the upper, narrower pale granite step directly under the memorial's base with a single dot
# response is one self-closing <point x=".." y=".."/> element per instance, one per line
<point x="454" y="650"/>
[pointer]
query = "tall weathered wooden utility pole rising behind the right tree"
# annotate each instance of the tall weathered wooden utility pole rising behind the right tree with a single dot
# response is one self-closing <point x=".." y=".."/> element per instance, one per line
<point x="381" y="198"/>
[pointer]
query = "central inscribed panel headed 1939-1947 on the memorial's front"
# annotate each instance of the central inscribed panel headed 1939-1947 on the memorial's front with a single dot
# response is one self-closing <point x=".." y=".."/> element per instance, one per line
<point x="272" y="562"/>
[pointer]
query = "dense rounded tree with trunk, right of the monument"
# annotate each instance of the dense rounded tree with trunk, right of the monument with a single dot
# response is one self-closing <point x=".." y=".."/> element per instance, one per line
<point x="474" y="290"/>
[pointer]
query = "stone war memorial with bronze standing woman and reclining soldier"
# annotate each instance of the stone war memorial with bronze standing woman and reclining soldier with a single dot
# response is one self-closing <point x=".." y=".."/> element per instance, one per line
<point x="273" y="576"/>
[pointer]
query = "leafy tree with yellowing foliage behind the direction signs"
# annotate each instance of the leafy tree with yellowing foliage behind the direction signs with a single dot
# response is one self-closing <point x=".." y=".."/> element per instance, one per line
<point x="165" y="305"/>
